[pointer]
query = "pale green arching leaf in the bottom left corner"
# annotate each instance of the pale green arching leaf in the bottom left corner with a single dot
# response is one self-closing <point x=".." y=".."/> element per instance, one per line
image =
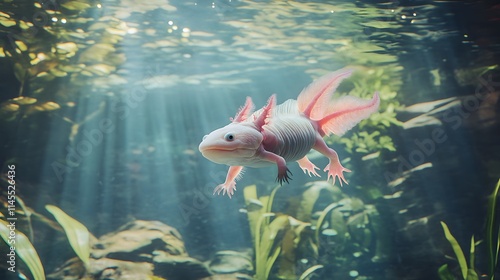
<point x="25" y="251"/>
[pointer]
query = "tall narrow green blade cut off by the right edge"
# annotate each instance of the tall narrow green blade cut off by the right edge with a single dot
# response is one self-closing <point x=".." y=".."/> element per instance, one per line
<point x="490" y="233"/>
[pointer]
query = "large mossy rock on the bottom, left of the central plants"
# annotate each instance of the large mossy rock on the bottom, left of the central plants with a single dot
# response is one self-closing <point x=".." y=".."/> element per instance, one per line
<point x="138" y="250"/>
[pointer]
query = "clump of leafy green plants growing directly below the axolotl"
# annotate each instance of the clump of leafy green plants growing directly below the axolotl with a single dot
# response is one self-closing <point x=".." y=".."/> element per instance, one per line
<point x="309" y="232"/>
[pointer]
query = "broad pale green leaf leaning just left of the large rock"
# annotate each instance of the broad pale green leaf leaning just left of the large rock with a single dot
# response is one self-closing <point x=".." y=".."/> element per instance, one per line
<point x="78" y="235"/>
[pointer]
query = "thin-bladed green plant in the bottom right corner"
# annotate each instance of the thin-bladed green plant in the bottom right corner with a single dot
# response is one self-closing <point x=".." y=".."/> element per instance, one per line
<point x="468" y="272"/>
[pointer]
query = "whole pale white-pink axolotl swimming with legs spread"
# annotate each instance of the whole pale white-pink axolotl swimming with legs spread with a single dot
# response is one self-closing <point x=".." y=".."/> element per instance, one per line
<point x="287" y="132"/>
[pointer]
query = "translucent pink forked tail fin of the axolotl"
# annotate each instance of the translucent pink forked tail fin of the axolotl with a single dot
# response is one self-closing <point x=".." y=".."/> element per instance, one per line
<point x="335" y="116"/>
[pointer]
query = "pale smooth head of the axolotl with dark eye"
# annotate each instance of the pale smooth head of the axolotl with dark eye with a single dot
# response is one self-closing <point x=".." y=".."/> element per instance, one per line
<point x="233" y="144"/>
